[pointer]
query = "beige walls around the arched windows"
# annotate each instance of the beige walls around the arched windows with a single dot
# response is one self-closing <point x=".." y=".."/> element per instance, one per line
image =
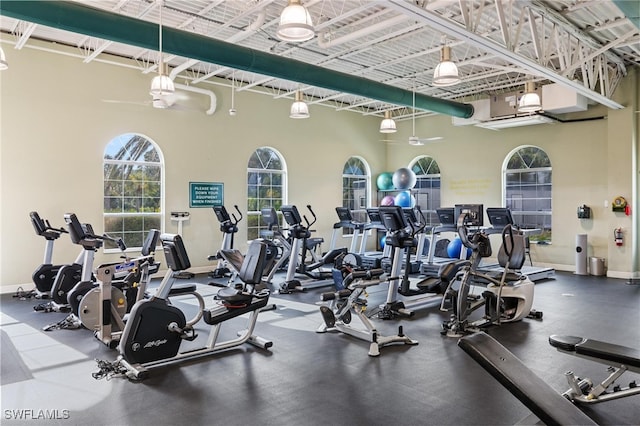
<point x="55" y="124"/>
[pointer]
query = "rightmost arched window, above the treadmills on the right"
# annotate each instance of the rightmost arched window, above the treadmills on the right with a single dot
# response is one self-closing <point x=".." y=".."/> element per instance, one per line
<point x="527" y="189"/>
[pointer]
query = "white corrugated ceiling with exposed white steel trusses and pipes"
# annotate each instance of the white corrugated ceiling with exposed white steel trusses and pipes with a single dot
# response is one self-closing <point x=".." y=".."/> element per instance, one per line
<point x="497" y="45"/>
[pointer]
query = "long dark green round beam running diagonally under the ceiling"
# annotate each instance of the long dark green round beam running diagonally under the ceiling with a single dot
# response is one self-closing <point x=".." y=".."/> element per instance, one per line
<point x="78" y="18"/>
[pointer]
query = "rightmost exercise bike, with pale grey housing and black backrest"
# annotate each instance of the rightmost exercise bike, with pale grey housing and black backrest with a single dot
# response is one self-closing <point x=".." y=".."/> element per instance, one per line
<point x="508" y="298"/>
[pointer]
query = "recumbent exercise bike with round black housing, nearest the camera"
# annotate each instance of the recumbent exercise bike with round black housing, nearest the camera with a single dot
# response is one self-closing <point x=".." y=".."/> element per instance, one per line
<point x="156" y="329"/>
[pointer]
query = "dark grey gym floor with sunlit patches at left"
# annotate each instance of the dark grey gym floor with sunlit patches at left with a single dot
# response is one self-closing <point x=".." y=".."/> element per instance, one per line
<point x="308" y="378"/>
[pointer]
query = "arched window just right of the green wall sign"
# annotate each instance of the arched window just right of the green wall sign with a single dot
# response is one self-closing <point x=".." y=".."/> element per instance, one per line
<point x="266" y="187"/>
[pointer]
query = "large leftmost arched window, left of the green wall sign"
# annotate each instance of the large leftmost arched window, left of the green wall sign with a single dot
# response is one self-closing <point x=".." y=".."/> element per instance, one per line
<point x="133" y="189"/>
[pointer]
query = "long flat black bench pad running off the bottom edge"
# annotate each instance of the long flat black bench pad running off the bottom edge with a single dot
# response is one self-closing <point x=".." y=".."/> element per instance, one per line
<point x="543" y="401"/>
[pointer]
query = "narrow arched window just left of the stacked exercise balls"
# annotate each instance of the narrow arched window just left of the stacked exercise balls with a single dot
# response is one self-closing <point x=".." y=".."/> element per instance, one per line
<point x="356" y="180"/>
